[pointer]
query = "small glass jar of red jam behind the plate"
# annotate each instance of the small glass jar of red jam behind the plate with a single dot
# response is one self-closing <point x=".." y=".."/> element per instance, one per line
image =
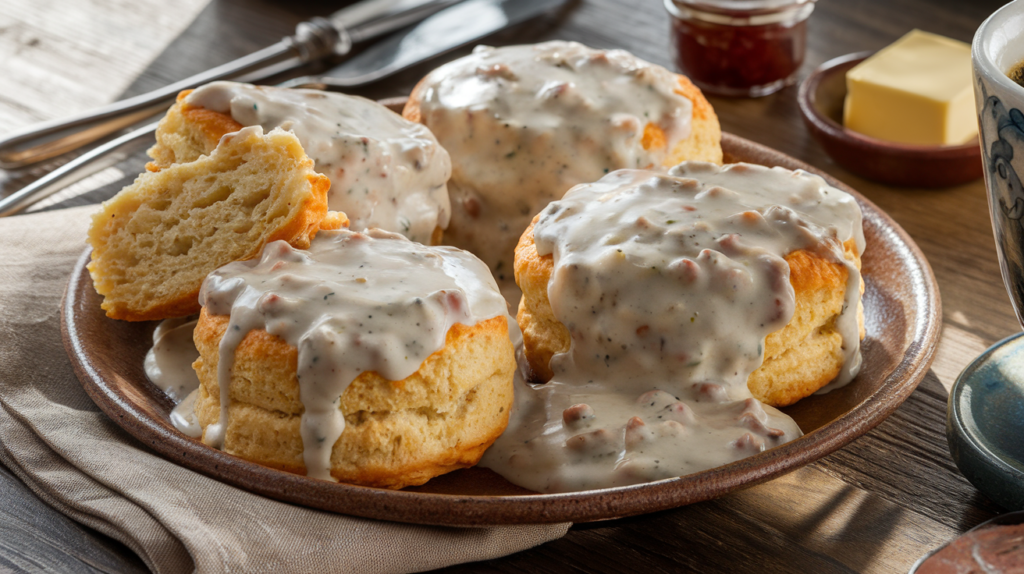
<point x="740" y="49"/>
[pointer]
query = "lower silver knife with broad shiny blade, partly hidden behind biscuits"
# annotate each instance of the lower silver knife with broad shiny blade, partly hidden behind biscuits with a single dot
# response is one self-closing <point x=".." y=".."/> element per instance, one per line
<point x="446" y="31"/>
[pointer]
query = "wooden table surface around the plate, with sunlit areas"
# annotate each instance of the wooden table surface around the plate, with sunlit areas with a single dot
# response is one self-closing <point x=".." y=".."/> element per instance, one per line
<point x="874" y="507"/>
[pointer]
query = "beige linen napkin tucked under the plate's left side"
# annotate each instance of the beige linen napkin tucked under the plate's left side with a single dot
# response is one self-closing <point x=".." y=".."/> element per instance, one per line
<point x="79" y="462"/>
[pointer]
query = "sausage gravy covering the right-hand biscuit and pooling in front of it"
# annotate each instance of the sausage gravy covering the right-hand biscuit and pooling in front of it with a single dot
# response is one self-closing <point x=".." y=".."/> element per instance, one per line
<point x="669" y="285"/>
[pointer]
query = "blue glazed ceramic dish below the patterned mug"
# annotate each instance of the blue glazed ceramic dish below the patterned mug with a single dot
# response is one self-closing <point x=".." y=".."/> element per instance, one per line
<point x="986" y="423"/>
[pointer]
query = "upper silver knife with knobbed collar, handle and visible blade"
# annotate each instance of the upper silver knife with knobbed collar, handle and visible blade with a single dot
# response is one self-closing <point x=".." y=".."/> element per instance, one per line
<point x="314" y="40"/>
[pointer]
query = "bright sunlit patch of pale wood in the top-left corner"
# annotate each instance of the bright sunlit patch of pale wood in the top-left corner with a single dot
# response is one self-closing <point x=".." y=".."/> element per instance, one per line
<point x="59" y="59"/>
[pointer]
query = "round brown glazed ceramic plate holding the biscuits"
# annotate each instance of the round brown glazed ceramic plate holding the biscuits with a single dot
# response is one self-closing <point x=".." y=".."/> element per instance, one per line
<point x="903" y="315"/>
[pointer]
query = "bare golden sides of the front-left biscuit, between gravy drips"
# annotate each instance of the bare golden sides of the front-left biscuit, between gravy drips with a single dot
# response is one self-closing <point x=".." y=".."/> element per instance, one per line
<point x="398" y="433"/>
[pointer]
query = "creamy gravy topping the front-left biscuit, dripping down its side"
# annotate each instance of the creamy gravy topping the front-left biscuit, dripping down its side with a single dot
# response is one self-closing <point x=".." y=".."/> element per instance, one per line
<point x="354" y="302"/>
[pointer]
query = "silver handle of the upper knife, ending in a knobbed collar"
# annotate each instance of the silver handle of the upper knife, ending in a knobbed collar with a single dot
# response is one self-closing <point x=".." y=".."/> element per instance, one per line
<point x="313" y="40"/>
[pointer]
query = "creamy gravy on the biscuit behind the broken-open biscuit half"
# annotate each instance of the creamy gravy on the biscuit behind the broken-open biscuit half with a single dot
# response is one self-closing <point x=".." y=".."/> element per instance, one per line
<point x="386" y="172"/>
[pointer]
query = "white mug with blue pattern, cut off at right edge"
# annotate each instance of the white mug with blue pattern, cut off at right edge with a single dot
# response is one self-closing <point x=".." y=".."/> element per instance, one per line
<point x="999" y="48"/>
